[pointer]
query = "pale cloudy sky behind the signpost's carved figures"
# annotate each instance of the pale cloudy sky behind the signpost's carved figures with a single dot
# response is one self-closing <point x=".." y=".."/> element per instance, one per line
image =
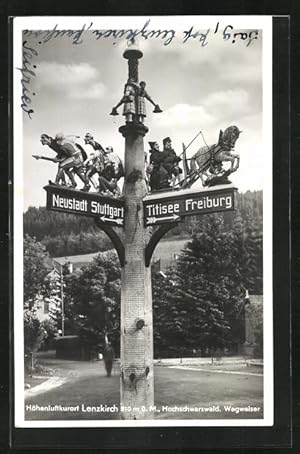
<point x="199" y="88"/>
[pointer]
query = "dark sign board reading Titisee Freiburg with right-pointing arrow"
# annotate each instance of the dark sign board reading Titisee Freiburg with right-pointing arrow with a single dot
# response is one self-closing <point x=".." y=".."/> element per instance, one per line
<point x="169" y="207"/>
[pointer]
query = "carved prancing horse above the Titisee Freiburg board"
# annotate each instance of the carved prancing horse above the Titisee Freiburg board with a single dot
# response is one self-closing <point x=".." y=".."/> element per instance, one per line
<point x="210" y="158"/>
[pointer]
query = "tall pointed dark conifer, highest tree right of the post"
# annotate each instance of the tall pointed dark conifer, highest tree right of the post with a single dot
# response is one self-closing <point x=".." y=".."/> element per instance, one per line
<point x="202" y="288"/>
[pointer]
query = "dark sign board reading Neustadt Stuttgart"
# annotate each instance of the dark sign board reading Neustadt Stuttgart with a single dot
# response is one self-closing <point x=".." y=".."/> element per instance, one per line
<point x="107" y="209"/>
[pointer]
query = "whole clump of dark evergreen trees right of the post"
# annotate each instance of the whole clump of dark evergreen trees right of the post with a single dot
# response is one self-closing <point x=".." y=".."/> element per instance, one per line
<point x="198" y="306"/>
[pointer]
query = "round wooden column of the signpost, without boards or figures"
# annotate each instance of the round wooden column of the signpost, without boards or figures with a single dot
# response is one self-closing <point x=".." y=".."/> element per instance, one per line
<point x="137" y="393"/>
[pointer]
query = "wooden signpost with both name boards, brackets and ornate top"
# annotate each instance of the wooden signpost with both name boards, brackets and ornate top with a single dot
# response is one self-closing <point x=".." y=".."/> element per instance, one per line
<point x="135" y="224"/>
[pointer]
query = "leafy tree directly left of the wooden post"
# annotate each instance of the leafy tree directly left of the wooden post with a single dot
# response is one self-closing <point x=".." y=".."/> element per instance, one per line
<point x="92" y="302"/>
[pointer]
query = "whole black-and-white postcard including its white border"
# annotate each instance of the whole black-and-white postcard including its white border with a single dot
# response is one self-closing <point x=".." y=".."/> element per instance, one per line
<point x="142" y="218"/>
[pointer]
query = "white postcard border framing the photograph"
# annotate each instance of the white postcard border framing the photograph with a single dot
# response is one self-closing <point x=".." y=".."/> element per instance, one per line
<point x="263" y="23"/>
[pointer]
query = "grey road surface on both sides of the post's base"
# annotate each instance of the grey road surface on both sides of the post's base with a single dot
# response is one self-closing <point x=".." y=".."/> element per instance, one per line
<point x="211" y="387"/>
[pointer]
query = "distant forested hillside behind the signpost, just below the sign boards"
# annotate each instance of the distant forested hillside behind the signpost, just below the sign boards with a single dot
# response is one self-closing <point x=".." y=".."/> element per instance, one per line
<point x="66" y="234"/>
